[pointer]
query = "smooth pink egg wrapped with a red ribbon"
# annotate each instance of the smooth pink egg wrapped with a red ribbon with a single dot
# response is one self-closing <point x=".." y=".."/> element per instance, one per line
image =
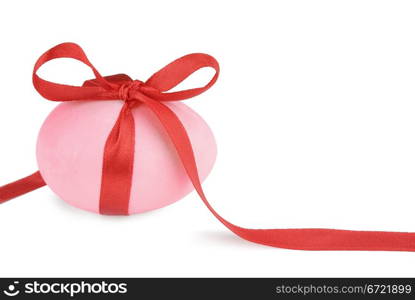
<point x="70" y="150"/>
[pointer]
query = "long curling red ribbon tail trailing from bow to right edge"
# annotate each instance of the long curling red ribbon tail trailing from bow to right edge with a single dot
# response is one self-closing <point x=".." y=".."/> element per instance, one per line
<point x="299" y="239"/>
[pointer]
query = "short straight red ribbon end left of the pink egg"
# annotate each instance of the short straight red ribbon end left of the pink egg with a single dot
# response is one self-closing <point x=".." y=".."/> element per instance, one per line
<point x="21" y="187"/>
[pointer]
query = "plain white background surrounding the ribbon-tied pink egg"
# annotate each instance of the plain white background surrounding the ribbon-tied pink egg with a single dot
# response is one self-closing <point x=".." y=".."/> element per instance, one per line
<point x="313" y="115"/>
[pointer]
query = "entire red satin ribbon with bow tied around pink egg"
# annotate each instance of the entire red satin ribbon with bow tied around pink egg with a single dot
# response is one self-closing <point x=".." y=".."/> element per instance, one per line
<point x="119" y="151"/>
